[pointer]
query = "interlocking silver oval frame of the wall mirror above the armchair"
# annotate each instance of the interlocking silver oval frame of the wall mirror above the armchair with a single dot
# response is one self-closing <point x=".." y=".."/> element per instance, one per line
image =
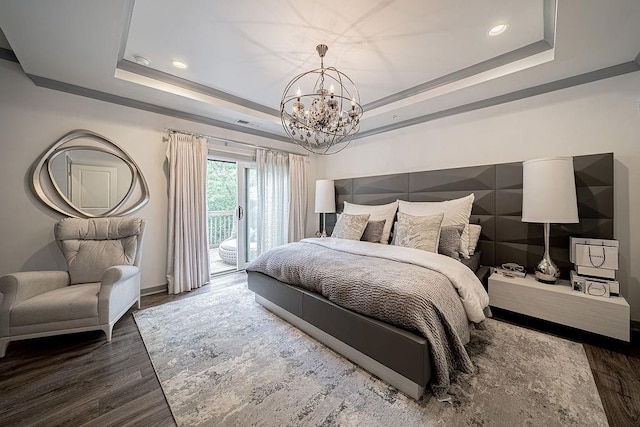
<point x="109" y="147"/>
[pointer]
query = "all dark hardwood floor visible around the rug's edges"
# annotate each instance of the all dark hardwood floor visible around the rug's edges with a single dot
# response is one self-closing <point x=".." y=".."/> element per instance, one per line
<point x="80" y="379"/>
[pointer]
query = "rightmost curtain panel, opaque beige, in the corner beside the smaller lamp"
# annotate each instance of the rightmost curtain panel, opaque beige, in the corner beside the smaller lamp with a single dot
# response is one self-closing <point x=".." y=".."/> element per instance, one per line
<point x="298" y="198"/>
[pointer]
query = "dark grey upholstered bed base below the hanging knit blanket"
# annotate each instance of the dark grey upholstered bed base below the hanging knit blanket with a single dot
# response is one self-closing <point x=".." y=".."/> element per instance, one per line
<point x="398" y="357"/>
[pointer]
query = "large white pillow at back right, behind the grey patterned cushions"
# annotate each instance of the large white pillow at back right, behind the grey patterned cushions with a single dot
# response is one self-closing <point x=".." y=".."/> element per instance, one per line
<point x="456" y="211"/>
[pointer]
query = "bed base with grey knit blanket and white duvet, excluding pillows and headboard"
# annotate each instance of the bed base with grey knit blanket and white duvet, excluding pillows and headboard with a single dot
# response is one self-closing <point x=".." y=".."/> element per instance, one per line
<point x="333" y="290"/>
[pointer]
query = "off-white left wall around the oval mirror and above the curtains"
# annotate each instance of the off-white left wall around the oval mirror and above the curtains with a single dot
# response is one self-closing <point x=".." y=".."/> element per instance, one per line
<point x="32" y="119"/>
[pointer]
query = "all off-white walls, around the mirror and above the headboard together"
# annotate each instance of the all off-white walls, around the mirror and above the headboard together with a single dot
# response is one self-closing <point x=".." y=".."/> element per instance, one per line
<point x="599" y="117"/>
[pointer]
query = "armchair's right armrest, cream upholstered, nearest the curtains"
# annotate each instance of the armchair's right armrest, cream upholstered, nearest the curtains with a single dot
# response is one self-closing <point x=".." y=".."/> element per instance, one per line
<point x="120" y="285"/>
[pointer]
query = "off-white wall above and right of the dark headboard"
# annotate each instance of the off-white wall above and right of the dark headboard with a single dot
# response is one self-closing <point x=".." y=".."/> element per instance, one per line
<point x="599" y="117"/>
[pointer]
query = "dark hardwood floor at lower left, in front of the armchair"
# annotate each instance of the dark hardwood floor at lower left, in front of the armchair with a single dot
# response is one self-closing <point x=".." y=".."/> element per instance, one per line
<point x="44" y="383"/>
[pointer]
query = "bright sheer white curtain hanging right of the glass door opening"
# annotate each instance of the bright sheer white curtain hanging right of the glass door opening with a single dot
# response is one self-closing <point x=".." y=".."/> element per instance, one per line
<point x="273" y="199"/>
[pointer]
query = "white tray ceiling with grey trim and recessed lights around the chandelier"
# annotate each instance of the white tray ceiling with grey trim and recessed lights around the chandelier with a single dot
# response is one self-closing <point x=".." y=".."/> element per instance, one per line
<point x="409" y="59"/>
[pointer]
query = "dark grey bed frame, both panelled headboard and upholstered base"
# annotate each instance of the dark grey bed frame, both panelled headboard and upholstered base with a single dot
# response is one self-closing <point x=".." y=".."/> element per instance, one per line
<point x="400" y="357"/>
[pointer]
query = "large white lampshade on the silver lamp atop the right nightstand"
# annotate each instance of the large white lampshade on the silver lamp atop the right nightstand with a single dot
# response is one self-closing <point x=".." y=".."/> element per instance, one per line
<point x="549" y="191"/>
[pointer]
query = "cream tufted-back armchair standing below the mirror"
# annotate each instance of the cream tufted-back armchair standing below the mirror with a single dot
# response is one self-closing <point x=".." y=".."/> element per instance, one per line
<point x="103" y="282"/>
